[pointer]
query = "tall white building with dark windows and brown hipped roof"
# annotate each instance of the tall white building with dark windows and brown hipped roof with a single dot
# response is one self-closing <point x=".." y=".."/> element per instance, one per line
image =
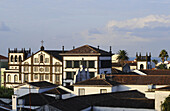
<point x="95" y="60"/>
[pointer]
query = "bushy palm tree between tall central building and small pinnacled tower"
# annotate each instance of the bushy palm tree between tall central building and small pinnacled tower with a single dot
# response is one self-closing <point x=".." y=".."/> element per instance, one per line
<point x="122" y="56"/>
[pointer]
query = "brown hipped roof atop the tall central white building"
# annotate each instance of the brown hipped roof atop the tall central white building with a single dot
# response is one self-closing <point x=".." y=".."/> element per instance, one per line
<point x="87" y="49"/>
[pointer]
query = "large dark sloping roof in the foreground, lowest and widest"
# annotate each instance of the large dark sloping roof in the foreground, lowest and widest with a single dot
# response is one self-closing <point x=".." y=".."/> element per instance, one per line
<point x="126" y="99"/>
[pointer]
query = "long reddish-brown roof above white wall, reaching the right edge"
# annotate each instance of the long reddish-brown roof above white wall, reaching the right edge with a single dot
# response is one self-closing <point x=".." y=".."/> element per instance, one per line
<point x="139" y="79"/>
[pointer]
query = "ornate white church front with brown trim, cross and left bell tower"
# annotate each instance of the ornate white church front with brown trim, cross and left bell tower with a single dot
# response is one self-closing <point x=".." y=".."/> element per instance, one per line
<point x="44" y="65"/>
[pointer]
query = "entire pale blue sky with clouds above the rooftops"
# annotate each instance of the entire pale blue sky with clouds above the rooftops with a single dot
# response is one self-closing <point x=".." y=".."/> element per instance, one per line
<point x="131" y="25"/>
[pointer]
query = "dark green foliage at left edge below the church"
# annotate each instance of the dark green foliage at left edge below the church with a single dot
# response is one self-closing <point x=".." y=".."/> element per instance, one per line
<point x="6" y="92"/>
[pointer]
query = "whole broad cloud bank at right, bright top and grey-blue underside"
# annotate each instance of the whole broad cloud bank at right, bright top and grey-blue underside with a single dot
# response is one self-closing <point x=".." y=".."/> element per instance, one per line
<point x="146" y="32"/>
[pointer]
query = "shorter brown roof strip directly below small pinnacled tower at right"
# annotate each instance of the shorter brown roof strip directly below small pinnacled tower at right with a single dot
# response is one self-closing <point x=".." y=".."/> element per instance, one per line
<point x="156" y="72"/>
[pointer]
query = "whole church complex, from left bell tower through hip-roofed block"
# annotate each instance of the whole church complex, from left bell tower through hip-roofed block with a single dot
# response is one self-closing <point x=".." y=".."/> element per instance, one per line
<point x="55" y="66"/>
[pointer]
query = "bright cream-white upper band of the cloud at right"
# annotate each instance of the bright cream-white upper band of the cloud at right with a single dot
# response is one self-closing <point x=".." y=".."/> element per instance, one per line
<point x="151" y="21"/>
